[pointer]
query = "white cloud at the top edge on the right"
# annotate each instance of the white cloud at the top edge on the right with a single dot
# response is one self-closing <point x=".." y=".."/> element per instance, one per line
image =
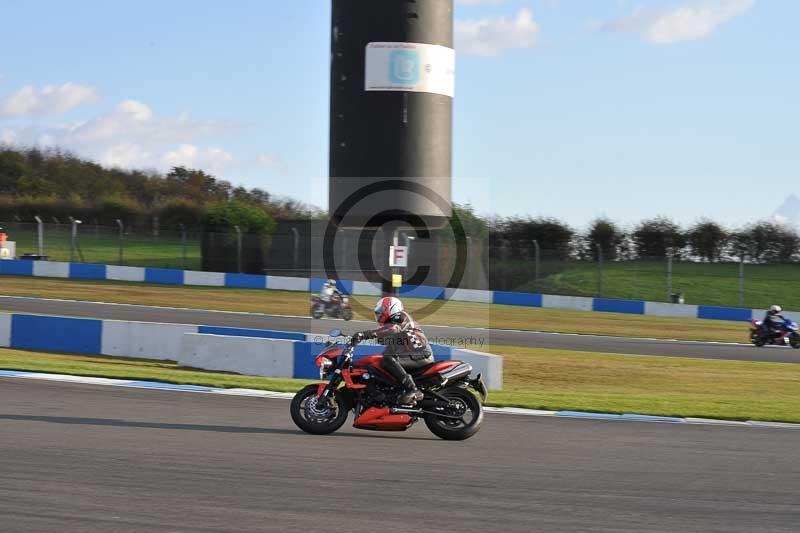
<point x="688" y="22"/>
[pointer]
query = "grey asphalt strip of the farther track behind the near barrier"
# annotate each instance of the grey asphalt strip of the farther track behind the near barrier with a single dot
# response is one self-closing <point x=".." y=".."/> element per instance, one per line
<point x="476" y="339"/>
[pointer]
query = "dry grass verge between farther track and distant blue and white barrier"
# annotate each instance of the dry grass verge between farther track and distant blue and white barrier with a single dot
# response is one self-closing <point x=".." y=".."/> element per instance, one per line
<point x="452" y="313"/>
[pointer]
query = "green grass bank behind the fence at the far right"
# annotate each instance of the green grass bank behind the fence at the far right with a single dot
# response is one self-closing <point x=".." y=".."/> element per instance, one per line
<point x="701" y="283"/>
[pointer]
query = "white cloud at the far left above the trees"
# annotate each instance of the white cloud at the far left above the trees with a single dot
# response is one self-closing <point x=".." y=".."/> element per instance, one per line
<point x="47" y="100"/>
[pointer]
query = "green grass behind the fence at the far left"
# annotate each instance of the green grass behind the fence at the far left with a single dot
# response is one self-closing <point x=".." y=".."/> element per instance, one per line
<point x="102" y="246"/>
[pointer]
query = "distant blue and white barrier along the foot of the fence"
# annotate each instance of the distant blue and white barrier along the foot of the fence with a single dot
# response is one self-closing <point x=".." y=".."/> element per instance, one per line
<point x="216" y="279"/>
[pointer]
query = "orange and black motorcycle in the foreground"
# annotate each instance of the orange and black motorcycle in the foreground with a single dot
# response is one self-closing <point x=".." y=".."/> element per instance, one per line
<point x="450" y="410"/>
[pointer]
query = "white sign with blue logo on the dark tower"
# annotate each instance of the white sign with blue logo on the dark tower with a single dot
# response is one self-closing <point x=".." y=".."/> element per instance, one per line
<point x="411" y="67"/>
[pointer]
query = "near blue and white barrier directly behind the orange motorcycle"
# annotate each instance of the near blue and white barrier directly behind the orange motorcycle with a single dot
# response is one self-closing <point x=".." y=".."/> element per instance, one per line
<point x="243" y="350"/>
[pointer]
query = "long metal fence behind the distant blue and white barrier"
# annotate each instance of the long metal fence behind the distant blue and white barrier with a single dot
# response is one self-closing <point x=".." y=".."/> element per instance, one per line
<point x="304" y="250"/>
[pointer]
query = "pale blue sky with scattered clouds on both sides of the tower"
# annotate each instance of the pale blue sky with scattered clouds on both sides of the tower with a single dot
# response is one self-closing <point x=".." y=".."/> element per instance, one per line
<point x="565" y="108"/>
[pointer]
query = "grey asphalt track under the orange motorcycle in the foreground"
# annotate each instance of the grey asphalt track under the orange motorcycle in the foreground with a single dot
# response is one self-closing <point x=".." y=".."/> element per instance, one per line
<point x="87" y="458"/>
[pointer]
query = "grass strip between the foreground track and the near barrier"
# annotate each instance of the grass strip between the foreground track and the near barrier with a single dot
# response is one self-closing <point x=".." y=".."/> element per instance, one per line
<point x="534" y="378"/>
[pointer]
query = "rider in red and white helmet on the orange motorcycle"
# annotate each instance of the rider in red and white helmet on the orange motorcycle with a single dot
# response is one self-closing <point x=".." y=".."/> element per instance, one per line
<point x="406" y="345"/>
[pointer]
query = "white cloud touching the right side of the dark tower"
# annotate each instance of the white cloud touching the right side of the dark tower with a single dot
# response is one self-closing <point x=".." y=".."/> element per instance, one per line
<point x="490" y="36"/>
